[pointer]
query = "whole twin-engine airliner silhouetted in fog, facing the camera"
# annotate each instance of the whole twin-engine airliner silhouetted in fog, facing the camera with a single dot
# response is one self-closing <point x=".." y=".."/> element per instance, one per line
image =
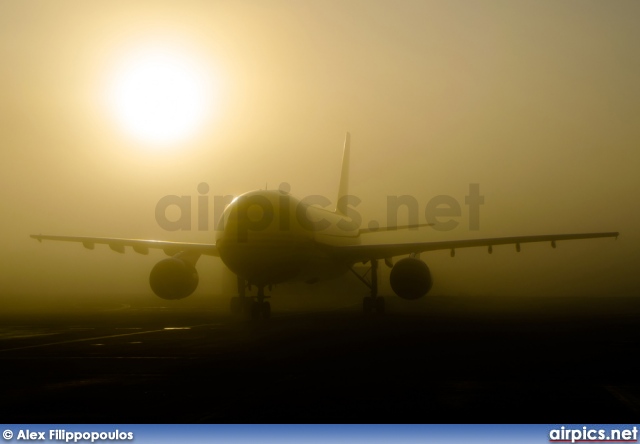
<point x="267" y="237"/>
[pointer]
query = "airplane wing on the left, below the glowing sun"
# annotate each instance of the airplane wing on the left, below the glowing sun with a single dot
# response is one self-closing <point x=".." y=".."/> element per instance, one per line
<point x="141" y="246"/>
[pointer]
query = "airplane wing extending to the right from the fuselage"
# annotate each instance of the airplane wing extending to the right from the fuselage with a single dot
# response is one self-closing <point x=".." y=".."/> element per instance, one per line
<point x="363" y="253"/>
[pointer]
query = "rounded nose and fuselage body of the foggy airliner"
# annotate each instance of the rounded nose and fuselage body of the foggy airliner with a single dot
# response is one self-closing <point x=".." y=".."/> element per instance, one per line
<point x="268" y="237"/>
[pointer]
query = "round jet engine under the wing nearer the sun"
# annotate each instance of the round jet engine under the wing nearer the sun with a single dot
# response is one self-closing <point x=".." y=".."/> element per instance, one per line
<point x="173" y="278"/>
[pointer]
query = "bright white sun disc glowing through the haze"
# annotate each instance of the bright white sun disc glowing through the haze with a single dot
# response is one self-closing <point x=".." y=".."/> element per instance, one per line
<point x="160" y="96"/>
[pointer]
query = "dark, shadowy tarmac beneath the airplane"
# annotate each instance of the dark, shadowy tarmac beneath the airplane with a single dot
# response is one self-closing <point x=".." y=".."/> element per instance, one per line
<point x="452" y="360"/>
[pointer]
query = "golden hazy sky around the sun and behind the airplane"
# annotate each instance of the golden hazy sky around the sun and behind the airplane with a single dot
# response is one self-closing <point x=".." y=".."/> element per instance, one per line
<point x="536" y="101"/>
